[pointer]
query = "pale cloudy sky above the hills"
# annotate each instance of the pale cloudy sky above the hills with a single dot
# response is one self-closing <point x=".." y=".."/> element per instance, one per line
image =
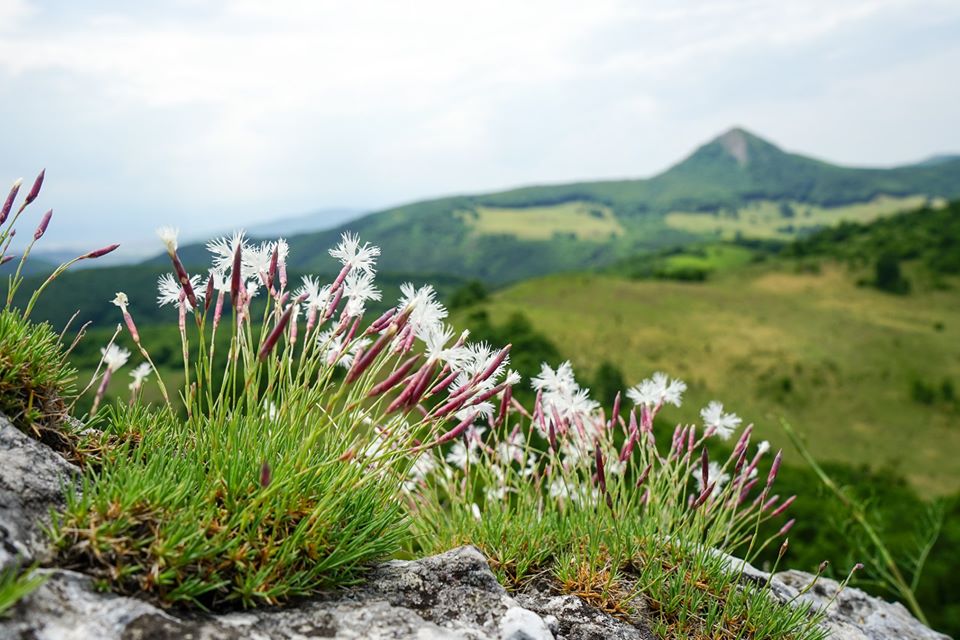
<point x="211" y="115"/>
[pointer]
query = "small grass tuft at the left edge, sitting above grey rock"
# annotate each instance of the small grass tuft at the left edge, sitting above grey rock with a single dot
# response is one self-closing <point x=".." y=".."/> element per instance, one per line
<point x="35" y="377"/>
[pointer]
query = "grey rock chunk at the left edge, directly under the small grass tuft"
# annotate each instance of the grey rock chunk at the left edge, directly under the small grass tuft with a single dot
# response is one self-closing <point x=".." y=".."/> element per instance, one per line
<point x="31" y="484"/>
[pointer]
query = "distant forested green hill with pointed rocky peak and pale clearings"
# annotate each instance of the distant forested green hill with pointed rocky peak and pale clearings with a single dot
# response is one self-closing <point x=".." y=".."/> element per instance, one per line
<point x="736" y="186"/>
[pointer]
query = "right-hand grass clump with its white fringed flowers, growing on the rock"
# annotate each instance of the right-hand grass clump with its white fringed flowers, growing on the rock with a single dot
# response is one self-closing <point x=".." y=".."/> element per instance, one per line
<point x="594" y="508"/>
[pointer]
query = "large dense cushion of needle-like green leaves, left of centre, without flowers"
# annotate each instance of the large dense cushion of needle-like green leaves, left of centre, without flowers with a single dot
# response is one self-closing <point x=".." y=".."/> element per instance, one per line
<point x="242" y="509"/>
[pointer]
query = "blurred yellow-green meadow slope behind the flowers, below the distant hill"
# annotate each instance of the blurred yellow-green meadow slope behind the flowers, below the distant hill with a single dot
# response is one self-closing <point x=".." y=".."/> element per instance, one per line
<point x="850" y="354"/>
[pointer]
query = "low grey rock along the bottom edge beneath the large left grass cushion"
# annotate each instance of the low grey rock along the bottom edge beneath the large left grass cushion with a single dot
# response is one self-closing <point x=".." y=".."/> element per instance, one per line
<point x="452" y="595"/>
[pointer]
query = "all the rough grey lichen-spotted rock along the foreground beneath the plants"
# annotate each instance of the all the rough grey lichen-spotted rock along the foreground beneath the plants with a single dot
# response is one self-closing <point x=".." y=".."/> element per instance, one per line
<point x="452" y="595"/>
